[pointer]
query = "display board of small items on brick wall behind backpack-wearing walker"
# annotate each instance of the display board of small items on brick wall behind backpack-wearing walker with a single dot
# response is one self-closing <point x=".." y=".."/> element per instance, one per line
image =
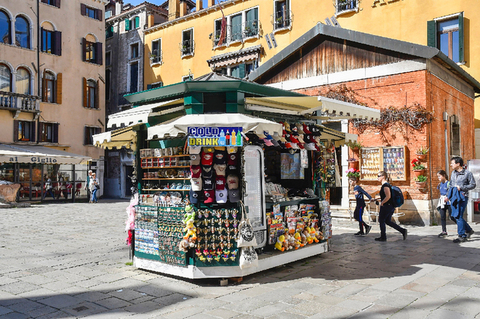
<point x="388" y="159"/>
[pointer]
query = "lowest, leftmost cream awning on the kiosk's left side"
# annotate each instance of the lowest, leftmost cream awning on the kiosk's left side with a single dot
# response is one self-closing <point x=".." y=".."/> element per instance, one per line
<point x="123" y="137"/>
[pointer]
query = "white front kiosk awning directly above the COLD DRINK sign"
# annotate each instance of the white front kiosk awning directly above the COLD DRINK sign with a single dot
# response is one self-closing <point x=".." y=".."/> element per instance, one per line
<point x="180" y="125"/>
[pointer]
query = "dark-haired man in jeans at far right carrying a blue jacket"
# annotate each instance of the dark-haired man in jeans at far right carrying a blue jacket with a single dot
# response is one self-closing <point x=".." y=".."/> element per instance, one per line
<point x="463" y="181"/>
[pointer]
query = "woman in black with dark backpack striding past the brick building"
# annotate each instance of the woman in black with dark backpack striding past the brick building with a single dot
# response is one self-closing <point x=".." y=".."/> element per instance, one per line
<point x="387" y="208"/>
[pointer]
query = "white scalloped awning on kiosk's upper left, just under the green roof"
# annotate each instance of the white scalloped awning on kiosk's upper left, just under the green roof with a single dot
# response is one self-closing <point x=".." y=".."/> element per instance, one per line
<point x="137" y="114"/>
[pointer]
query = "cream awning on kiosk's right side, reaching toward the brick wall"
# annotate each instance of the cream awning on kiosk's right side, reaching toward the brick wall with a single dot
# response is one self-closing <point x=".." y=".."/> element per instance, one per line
<point x="326" y="108"/>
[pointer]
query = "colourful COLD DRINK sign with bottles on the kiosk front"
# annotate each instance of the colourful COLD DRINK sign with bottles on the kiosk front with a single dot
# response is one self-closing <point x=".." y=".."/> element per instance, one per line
<point x="215" y="136"/>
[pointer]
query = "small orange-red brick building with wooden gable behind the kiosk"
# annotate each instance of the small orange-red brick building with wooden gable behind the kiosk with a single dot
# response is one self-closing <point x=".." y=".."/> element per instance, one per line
<point x="384" y="73"/>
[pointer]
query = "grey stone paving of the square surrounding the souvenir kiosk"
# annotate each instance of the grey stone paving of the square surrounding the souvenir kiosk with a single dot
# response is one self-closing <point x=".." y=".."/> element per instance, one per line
<point x="71" y="261"/>
